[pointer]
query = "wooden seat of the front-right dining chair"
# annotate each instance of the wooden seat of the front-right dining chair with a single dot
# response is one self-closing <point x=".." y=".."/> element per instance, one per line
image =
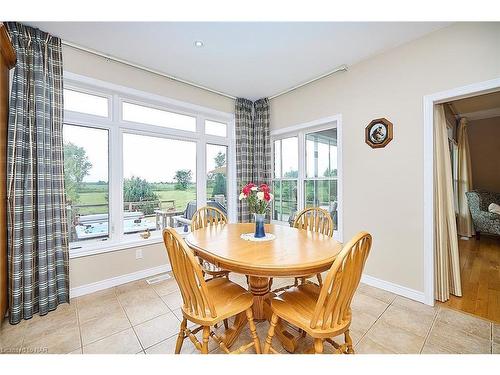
<point x="296" y="305"/>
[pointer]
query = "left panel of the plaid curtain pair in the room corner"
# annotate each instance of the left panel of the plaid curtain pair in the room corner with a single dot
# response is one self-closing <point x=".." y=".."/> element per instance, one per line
<point x="244" y="151"/>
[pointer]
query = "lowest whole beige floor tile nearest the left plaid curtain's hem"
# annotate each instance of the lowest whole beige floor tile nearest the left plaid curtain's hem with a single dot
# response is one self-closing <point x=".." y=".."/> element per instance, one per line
<point x="103" y="326"/>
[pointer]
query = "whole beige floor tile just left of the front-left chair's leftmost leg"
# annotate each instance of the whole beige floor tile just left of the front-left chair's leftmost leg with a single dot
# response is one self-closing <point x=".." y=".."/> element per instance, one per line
<point x="158" y="329"/>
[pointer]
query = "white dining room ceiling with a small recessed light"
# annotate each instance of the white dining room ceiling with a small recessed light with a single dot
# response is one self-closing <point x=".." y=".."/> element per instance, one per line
<point x="244" y="59"/>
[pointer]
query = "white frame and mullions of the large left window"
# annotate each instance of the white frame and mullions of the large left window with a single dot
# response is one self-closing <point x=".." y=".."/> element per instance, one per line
<point x="117" y="127"/>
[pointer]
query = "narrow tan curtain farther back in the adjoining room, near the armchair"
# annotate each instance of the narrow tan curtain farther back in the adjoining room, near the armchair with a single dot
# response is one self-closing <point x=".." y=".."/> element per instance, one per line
<point x="465" y="227"/>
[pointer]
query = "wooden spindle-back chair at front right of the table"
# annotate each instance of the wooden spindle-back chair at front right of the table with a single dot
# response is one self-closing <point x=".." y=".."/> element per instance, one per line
<point x="324" y="312"/>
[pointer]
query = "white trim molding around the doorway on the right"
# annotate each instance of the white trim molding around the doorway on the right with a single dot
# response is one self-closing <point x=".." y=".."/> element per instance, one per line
<point x="428" y="102"/>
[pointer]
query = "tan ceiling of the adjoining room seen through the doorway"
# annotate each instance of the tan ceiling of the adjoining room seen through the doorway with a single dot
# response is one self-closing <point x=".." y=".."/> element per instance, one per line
<point x="478" y="107"/>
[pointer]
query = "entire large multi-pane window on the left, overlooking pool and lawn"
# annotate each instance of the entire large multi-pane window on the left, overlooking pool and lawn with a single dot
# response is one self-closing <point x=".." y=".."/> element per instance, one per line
<point x="129" y="176"/>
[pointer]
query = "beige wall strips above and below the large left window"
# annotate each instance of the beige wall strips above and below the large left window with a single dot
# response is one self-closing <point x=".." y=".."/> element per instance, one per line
<point x="95" y="268"/>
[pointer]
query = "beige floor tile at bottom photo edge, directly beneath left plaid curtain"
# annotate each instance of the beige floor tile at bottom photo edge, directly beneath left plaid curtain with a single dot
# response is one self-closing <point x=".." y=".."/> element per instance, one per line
<point x="60" y="341"/>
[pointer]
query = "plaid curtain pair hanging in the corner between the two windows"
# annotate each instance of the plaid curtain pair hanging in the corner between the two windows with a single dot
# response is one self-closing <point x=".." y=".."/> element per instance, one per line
<point x="253" y="147"/>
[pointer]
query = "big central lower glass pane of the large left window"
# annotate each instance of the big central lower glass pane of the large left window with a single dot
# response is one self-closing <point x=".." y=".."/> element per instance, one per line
<point x="159" y="186"/>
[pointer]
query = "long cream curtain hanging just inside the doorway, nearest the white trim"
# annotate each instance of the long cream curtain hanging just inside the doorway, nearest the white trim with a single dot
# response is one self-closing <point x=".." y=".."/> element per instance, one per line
<point x="447" y="264"/>
